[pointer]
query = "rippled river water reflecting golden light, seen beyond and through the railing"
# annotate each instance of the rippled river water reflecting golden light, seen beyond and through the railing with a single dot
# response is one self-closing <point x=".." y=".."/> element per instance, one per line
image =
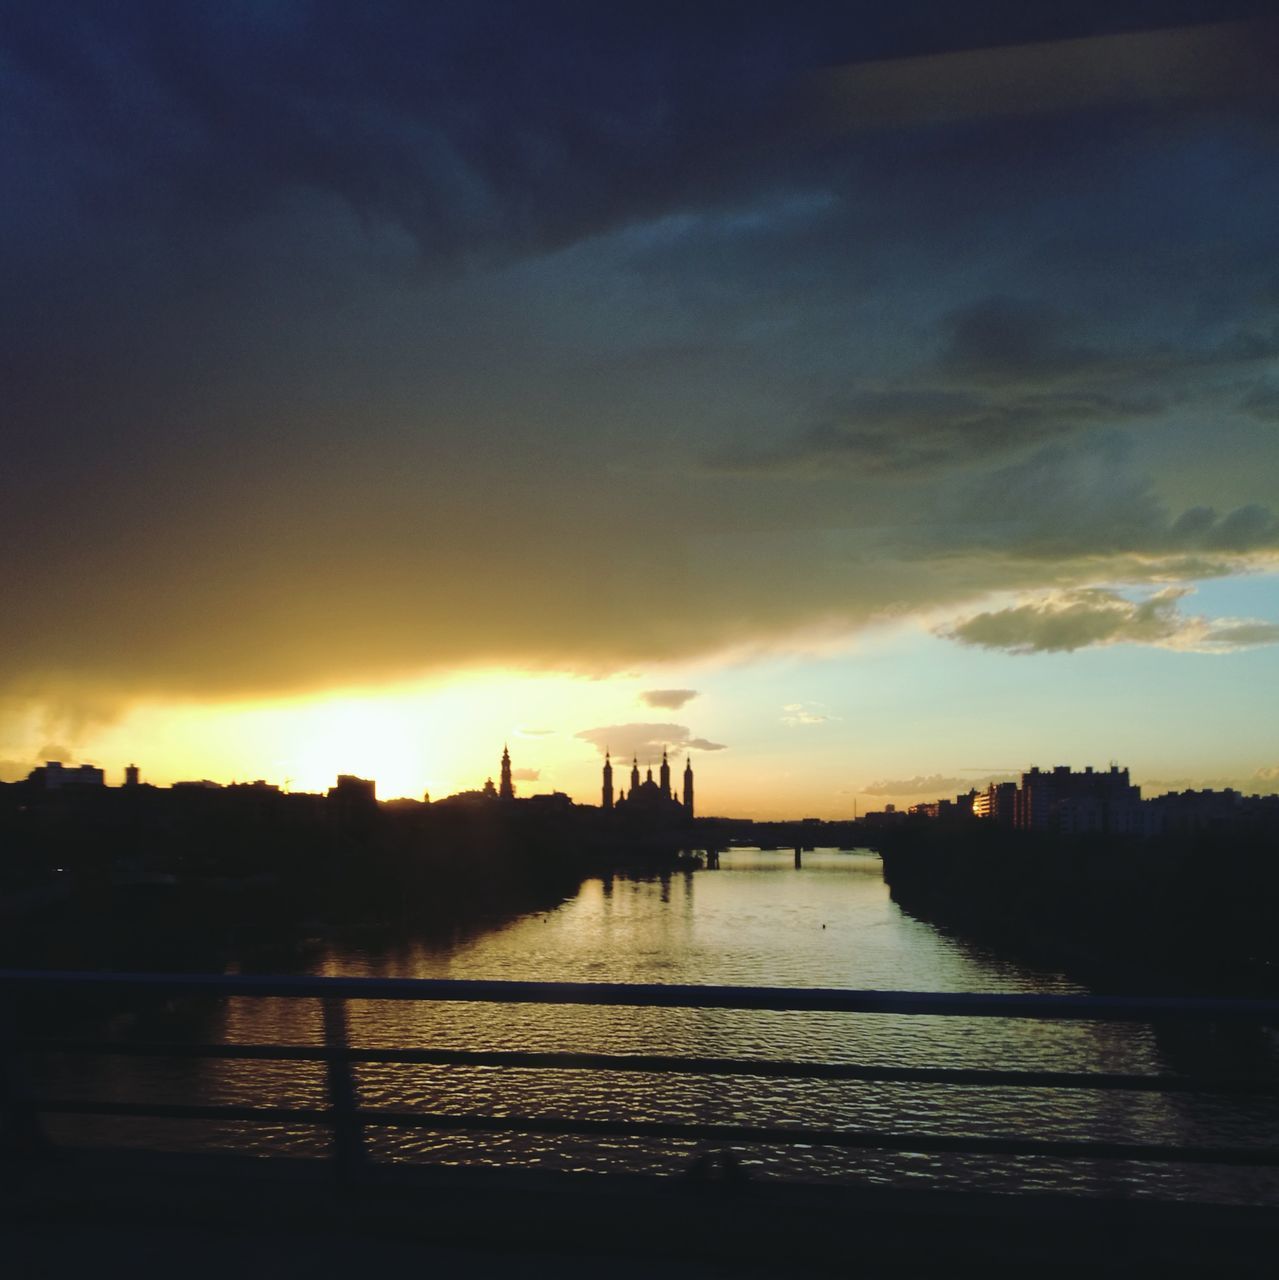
<point x="757" y="921"/>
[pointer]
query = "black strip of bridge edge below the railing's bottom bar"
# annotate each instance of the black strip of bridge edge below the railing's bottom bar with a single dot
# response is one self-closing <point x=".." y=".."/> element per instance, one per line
<point x="139" y="1214"/>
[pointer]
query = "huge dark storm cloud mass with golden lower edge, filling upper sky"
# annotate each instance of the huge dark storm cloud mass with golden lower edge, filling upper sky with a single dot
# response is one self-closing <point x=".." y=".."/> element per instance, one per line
<point x="351" y="344"/>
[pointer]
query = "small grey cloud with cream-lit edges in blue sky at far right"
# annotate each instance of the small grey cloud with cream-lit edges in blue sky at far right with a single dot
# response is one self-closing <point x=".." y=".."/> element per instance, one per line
<point x="1079" y="619"/>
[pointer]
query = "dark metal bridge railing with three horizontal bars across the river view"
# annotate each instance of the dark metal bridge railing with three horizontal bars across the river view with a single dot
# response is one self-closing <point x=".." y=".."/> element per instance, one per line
<point x="22" y="1103"/>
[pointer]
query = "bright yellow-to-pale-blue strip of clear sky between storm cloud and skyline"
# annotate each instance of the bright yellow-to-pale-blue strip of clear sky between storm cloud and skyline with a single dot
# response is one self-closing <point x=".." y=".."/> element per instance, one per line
<point x="903" y="738"/>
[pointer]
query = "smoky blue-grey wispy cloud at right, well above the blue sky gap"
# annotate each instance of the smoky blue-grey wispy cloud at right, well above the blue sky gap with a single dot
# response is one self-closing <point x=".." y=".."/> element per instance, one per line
<point x="1012" y="376"/>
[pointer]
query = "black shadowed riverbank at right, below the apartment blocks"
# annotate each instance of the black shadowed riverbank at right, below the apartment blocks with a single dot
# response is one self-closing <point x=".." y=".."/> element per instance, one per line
<point x="1194" y="916"/>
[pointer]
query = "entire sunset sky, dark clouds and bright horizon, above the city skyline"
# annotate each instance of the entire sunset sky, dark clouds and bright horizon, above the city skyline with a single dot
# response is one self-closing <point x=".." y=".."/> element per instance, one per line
<point x="865" y="401"/>
